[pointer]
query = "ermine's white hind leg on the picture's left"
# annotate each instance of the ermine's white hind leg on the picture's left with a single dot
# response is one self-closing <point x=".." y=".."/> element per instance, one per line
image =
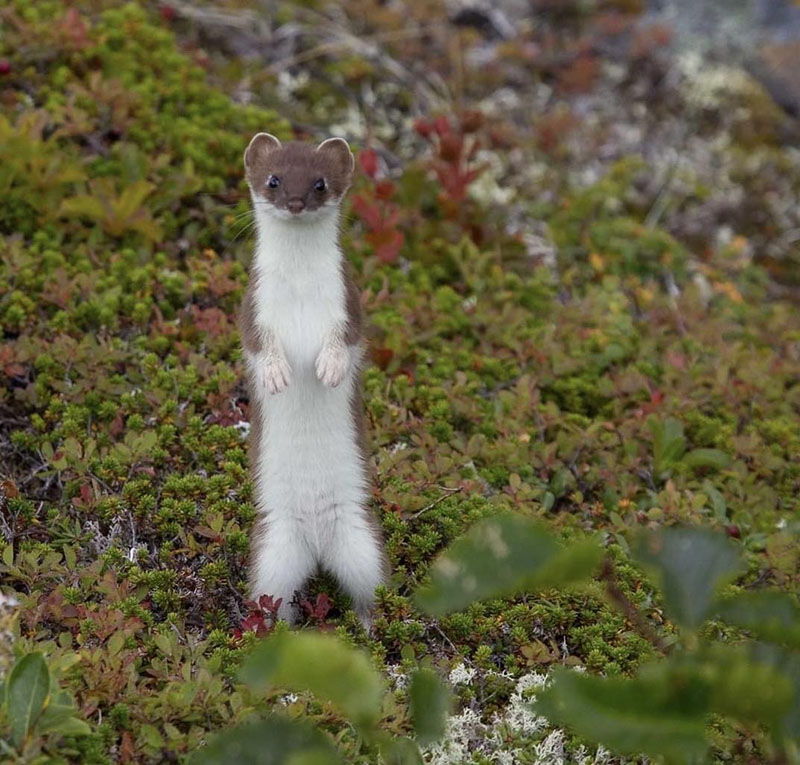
<point x="280" y="562"/>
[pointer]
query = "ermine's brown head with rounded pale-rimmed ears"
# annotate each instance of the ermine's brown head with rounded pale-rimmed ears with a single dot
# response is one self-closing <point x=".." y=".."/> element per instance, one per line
<point x="295" y="180"/>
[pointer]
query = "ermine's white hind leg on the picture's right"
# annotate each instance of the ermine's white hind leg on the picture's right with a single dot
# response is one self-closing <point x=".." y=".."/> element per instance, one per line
<point x="356" y="558"/>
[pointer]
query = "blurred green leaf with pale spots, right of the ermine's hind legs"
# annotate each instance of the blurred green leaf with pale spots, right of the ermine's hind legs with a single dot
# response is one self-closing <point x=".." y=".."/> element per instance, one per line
<point x="501" y="556"/>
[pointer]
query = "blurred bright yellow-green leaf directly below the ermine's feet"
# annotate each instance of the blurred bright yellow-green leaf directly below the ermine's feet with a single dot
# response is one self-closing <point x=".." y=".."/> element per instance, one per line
<point x="324" y="665"/>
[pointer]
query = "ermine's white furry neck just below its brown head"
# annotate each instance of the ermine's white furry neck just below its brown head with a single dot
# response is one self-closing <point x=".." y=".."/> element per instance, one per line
<point x="297" y="246"/>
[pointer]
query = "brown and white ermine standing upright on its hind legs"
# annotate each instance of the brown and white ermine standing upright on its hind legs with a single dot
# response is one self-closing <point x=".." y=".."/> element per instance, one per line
<point x="301" y="329"/>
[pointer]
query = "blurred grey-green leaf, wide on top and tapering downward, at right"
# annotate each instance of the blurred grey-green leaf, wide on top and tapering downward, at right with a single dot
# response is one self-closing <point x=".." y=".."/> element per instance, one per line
<point x="691" y="564"/>
